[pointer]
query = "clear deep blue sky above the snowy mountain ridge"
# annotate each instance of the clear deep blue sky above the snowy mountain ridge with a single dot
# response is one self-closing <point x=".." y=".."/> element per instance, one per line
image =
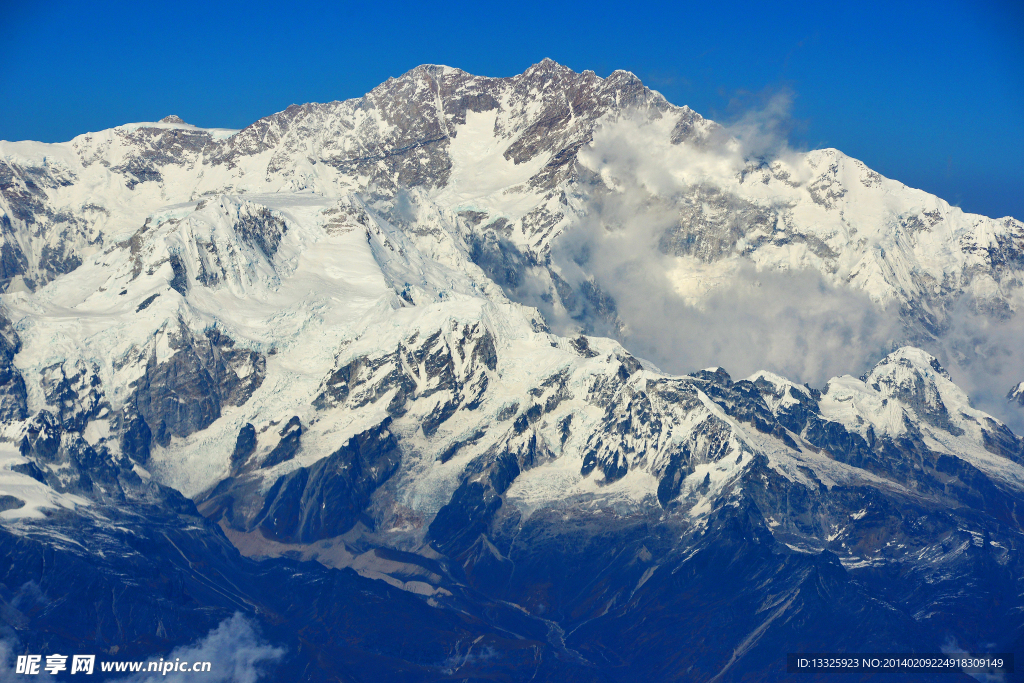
<point x="929" y="94"/>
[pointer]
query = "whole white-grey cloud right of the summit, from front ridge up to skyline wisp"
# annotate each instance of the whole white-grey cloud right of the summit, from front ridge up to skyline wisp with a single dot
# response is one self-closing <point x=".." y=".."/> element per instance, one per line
<point x="688" y="313"/>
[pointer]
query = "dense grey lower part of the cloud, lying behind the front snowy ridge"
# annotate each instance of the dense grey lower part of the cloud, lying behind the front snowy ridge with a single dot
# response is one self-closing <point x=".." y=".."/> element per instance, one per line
<point x="794" y="324"/>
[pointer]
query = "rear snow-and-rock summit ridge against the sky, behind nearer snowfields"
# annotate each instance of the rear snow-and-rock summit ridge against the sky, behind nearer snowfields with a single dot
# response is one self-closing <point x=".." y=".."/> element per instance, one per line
<point x="520" y="159"/>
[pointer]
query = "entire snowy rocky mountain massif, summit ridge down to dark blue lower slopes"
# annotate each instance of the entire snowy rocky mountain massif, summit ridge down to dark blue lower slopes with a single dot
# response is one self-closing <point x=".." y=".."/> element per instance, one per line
<point x="334" y="378"/>
